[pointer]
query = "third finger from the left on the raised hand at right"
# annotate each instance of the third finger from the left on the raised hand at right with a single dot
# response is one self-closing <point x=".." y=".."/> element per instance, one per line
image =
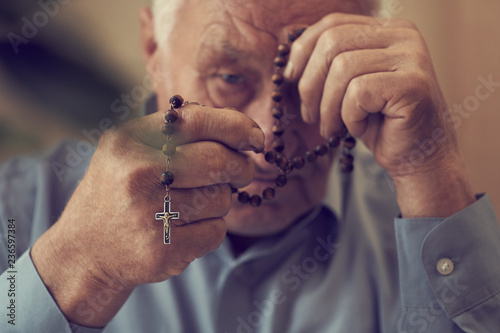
<point x="344" y="68"/>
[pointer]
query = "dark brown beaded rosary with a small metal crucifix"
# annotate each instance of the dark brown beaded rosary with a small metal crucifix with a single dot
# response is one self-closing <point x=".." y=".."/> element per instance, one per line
<point x="274" y="156"/>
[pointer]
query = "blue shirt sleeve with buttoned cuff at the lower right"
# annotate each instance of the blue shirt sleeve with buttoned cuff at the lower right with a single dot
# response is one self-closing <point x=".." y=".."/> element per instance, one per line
<point x="449" y="269"/>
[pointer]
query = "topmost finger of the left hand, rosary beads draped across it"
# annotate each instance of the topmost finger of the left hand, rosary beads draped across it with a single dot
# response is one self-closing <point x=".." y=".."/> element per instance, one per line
<point x="198" y="123"/>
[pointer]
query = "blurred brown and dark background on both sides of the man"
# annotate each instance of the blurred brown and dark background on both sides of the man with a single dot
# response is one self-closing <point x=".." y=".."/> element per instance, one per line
<point x="67" y="66"/>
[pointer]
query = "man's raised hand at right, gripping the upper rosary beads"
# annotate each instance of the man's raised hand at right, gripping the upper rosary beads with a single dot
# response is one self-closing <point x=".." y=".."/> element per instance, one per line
<point x="377" y="76"/>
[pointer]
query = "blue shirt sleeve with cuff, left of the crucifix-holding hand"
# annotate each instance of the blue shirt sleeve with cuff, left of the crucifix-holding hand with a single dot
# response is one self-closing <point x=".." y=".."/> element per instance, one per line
<point x="33" y="192"/>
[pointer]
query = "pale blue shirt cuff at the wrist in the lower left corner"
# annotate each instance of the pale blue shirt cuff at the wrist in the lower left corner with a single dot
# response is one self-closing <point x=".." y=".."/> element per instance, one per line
<point x="35" y="309"/>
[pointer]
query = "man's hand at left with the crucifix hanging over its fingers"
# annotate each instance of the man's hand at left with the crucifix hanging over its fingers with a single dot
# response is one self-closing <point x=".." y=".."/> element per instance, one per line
<point x="107" y="239"/>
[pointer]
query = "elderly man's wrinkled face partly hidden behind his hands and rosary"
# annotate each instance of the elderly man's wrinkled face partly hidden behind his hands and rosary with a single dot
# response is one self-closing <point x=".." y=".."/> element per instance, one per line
<point x="221" y="54"/>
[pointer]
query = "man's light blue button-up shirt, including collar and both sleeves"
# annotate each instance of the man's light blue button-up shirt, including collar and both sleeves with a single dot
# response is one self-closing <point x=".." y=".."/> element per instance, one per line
<point x="358" y="269"/>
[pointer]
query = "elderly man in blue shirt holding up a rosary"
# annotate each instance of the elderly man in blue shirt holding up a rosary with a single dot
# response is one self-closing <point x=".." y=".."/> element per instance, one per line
<point x="292" y="264"/>
